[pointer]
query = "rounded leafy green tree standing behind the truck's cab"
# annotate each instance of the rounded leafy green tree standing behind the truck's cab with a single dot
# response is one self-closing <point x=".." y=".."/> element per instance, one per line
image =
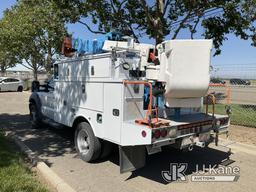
<point x="33" y="32"/>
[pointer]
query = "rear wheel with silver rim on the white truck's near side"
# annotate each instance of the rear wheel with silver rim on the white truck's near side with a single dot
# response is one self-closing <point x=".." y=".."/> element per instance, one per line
<point x="88" y="146"/>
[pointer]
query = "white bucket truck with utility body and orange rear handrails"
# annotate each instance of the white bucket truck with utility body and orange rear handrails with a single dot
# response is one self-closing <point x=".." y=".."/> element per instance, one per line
<point x="137" y="96"/>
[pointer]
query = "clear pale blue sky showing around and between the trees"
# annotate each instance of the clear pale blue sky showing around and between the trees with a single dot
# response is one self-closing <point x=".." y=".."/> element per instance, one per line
<point x="237" y="55"/>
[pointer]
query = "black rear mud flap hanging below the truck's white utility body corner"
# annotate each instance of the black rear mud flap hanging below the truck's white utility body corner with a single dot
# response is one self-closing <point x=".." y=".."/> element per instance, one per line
<point x="131" y="158"/>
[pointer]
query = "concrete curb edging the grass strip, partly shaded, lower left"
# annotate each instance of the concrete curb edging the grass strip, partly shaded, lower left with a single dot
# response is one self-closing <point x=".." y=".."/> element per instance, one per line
<point x="48" y="174"/>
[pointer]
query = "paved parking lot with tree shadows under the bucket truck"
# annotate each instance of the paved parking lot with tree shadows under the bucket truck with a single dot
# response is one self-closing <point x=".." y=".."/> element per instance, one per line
<point x="56" y="148"/>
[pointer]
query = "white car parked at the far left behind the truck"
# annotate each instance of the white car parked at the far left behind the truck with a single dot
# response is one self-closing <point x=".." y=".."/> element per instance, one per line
<point x="11" y="84"/>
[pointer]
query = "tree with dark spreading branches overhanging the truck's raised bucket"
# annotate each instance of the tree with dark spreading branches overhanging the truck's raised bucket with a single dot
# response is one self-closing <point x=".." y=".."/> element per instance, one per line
<point x="159" y="18"/>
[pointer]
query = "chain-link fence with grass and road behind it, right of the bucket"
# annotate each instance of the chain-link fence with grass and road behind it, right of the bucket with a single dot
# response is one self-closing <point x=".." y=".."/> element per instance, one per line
<point x="237" y="92"/>
